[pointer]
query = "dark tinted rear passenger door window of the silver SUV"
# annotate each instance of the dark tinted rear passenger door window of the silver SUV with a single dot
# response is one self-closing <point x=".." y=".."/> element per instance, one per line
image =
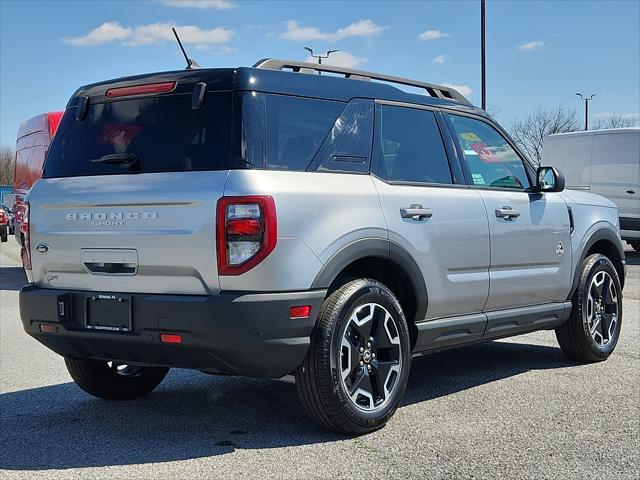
<point x="410" y="147"/>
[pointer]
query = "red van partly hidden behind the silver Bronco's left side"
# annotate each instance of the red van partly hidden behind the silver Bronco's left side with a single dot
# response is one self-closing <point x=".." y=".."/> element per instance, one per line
<point x="34" y="137"/>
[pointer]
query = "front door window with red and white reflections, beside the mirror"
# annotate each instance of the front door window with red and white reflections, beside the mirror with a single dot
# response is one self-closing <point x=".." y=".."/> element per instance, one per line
<point x="491" y="160"/>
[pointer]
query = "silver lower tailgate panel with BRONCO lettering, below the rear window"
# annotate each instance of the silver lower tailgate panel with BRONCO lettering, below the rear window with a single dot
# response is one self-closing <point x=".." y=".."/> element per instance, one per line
<point x="147" y="233"/>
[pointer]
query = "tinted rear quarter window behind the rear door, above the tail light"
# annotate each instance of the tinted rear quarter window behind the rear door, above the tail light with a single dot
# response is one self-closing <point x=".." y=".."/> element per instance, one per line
<point x="296" y="127"/>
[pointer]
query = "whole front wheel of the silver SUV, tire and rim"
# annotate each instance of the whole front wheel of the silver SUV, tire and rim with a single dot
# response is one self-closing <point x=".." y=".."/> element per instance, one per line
<point x="592" y="331"/>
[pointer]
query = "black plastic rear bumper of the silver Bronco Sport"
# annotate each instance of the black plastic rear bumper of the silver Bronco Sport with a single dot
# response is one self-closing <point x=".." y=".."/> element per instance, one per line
<point x="239" y="334"/>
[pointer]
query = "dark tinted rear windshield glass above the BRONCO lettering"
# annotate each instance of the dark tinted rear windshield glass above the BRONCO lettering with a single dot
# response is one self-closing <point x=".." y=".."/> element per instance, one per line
<point x="163" y="133"/>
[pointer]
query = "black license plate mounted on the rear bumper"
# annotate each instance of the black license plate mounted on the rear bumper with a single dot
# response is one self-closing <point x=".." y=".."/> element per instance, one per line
<point x="109" y="311"/>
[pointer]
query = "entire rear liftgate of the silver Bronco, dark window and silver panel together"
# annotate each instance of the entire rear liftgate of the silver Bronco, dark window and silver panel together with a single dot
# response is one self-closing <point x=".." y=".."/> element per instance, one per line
<point x="127" y="200"/>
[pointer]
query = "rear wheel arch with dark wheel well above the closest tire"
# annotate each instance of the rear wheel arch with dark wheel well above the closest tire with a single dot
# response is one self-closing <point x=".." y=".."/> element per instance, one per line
<point x="385" y="261"/>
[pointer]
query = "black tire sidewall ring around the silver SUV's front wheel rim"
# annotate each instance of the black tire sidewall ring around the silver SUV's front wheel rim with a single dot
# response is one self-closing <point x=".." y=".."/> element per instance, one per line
<point x="600" y="263"/>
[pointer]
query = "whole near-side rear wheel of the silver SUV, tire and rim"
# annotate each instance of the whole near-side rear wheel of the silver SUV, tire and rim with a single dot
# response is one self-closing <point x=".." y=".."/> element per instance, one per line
<point x="334" y="382"/>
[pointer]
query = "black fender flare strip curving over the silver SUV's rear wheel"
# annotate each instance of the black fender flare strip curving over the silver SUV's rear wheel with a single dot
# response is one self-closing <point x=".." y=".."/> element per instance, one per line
<point x="380" y="248"/>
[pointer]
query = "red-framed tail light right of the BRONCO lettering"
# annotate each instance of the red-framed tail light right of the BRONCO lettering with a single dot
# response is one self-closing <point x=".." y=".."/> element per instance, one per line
<point x="246" y="232"/>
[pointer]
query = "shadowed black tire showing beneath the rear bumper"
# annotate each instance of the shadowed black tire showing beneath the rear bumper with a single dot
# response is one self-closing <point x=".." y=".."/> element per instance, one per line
<point x="113" y="381"/>
